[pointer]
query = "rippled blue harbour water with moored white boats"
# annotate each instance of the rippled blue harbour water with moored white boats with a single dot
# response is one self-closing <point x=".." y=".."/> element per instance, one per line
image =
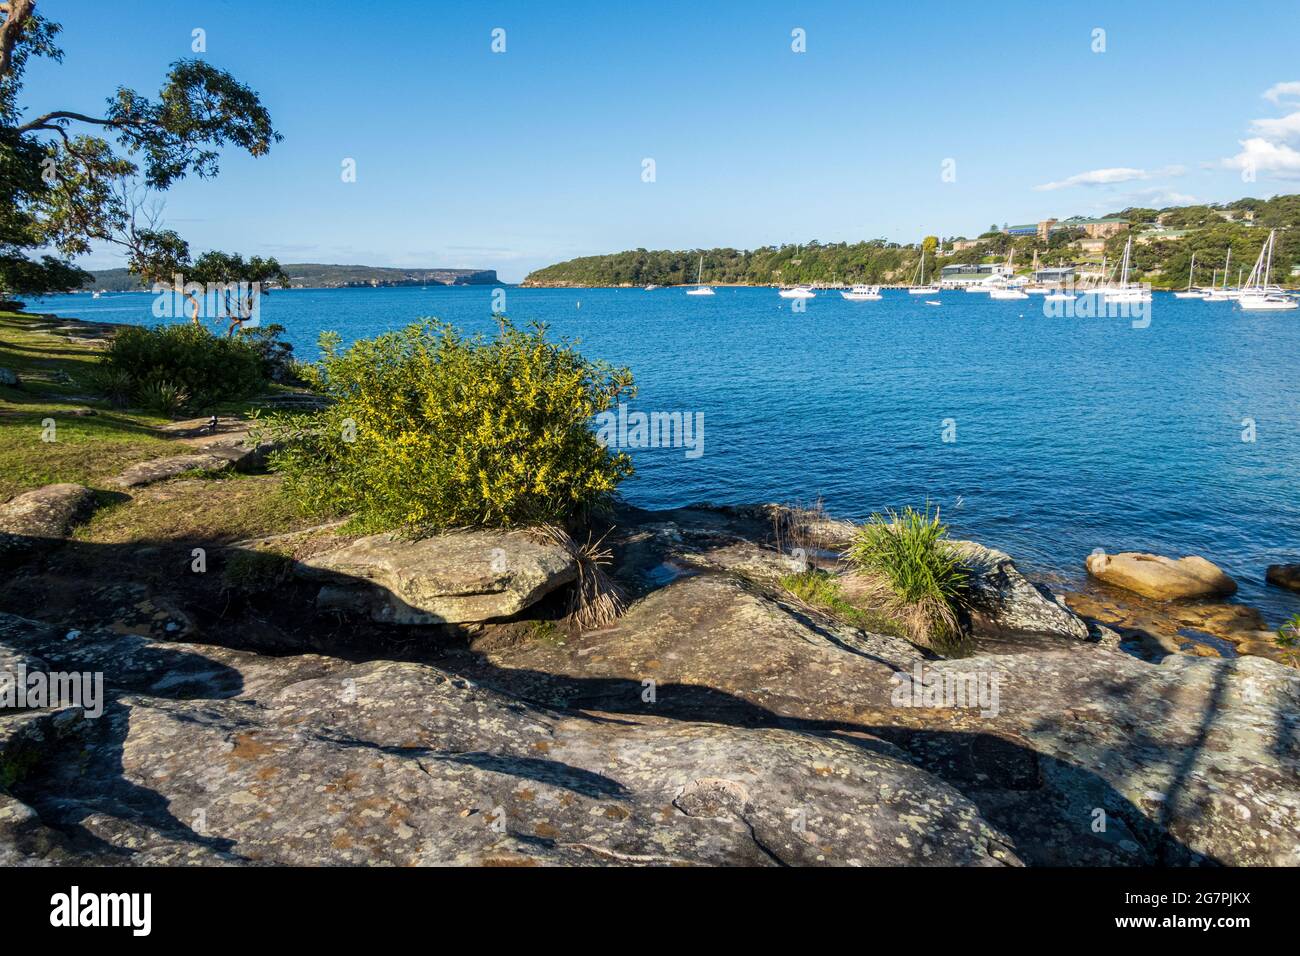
<point x="1072" y="434"/>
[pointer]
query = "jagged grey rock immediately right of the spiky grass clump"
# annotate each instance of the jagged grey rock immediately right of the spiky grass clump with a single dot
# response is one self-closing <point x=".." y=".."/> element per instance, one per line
<point x="1006" y="600"/>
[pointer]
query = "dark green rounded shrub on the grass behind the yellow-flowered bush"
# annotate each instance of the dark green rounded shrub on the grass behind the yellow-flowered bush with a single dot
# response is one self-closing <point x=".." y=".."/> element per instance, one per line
<point x="175" y="369"/>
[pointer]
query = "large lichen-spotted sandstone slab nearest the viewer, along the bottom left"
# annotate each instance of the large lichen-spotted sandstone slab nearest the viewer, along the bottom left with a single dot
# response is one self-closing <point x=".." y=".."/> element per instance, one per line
<point x="309" y="762"/>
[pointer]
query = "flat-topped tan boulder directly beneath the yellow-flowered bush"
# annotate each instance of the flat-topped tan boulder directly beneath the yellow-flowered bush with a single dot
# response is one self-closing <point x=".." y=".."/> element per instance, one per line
<point x="453" y="579"/>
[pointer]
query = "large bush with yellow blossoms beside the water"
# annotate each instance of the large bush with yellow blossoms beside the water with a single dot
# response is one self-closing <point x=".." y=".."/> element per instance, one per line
<point x="430" y="430"/>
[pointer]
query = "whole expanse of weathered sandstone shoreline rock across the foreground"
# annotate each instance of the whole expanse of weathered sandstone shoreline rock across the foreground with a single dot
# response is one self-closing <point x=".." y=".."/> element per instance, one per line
<point x="717" y="723"/>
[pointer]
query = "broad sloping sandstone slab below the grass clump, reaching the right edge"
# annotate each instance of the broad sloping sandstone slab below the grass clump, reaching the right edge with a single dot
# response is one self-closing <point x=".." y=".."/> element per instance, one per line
<point x="1191" y="760"/>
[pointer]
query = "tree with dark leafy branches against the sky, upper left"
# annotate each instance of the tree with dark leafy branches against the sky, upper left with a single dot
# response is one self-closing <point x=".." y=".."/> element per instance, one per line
<point x="72" y="179"/>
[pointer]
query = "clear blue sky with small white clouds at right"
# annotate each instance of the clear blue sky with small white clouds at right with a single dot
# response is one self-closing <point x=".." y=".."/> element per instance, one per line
<point x="466" y="158"/>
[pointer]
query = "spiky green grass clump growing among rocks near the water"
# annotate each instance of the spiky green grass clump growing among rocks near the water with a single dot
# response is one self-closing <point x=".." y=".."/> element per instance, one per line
<point x="908" y="564"/>
